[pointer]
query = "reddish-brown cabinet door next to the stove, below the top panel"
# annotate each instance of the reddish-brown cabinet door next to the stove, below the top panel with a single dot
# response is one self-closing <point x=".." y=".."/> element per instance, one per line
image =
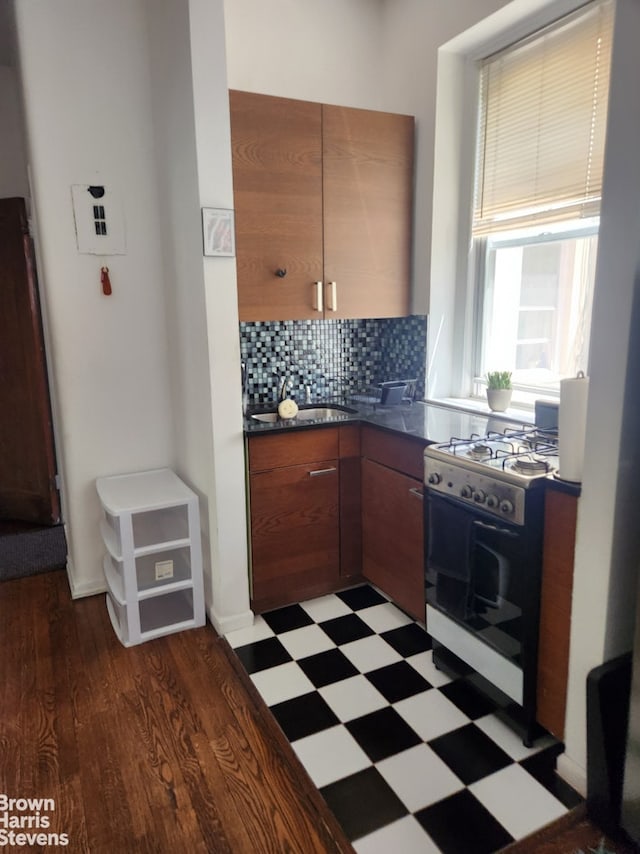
<point x="393" y="536"/>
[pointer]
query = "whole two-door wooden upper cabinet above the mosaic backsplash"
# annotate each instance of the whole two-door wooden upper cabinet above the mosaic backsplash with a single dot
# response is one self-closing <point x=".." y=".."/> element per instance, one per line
<point x="325" y="194"/>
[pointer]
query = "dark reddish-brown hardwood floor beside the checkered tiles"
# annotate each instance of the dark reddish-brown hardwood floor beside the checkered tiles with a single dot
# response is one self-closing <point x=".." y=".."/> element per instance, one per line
<point x="162" y="747"/>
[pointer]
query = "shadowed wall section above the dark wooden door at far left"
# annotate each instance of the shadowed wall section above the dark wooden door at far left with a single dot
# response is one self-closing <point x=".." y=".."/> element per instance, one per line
<point x="13" y="164"/>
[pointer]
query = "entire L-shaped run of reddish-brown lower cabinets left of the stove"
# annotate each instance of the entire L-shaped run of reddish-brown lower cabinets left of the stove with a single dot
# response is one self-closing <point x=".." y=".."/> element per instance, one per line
<point x="332" y="506"/>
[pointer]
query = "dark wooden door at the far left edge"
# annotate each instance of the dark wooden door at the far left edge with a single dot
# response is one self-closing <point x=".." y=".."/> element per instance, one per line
<point x="27" y="458"/>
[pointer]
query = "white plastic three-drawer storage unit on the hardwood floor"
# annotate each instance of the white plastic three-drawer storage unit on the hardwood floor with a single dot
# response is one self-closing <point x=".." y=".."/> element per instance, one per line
<point x="153" y="565"/>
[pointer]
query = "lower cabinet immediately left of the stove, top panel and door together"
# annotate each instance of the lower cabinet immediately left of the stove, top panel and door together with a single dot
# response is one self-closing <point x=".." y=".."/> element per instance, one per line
<point x="392" y="518"/>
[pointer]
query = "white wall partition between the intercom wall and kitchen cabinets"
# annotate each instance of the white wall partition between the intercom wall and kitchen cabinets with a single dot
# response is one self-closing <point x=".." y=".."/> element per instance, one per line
<point x="192" y="137"/>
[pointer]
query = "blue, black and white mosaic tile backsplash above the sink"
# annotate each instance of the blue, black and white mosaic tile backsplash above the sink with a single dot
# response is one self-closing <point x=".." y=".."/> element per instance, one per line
<point x="332" y="357"/>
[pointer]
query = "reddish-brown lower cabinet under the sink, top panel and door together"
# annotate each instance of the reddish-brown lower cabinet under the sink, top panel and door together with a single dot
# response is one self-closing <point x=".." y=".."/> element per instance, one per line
<point x="298" y="492"/>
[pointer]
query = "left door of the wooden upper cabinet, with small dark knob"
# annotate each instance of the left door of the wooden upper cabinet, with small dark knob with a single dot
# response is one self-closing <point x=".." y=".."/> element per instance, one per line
<point x="277" y="184"/>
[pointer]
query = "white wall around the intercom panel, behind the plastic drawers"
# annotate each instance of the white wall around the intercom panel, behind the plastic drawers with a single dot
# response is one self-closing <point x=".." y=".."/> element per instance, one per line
<point x="85" y="74"/>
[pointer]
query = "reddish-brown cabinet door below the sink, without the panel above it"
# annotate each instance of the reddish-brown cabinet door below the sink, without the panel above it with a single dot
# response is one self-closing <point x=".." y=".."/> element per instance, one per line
<point x="295" y="536"/>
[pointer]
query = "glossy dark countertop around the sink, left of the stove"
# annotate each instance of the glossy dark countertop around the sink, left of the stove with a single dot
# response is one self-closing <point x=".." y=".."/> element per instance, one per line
<point x="425" y="421"/>
